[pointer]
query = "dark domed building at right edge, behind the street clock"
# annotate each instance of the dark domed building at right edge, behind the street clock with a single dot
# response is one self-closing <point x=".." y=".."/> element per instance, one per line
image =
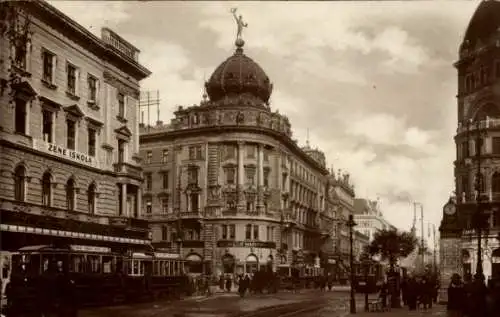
<point x="477" y="165"/>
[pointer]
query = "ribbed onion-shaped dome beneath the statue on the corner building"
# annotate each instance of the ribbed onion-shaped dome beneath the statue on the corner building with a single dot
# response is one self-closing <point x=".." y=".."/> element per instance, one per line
<point x="239" y="75"/>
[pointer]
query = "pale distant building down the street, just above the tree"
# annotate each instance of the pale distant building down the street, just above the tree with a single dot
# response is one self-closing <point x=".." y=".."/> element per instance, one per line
<point x="369" y="217"/>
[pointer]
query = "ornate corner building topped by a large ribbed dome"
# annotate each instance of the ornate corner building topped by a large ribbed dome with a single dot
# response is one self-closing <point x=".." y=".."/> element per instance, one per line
<point x="227" y="186"/>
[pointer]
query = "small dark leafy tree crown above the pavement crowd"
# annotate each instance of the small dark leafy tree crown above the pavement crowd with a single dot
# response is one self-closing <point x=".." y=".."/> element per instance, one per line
<point x="392" y="245"/>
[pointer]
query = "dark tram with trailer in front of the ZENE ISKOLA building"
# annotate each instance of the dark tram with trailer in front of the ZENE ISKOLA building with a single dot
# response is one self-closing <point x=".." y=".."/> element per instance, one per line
<point x="47" y="279"/>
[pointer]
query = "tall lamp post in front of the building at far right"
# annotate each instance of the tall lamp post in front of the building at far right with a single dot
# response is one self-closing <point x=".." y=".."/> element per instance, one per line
<point x="478" y="216"/>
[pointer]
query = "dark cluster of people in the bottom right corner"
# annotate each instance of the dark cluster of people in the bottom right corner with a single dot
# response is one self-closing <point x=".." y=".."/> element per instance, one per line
<point x="472" y="297"/>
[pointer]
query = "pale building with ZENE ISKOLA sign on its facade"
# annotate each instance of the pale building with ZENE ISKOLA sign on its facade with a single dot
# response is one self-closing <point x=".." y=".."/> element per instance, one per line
<point x="69" y="134"/>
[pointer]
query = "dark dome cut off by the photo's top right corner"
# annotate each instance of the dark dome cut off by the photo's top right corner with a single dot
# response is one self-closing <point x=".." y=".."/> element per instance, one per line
<point x="484" y="23"/>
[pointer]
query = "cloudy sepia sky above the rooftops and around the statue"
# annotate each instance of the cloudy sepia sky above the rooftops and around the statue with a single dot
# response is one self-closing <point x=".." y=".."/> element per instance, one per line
<point x="373" y="82"/>
